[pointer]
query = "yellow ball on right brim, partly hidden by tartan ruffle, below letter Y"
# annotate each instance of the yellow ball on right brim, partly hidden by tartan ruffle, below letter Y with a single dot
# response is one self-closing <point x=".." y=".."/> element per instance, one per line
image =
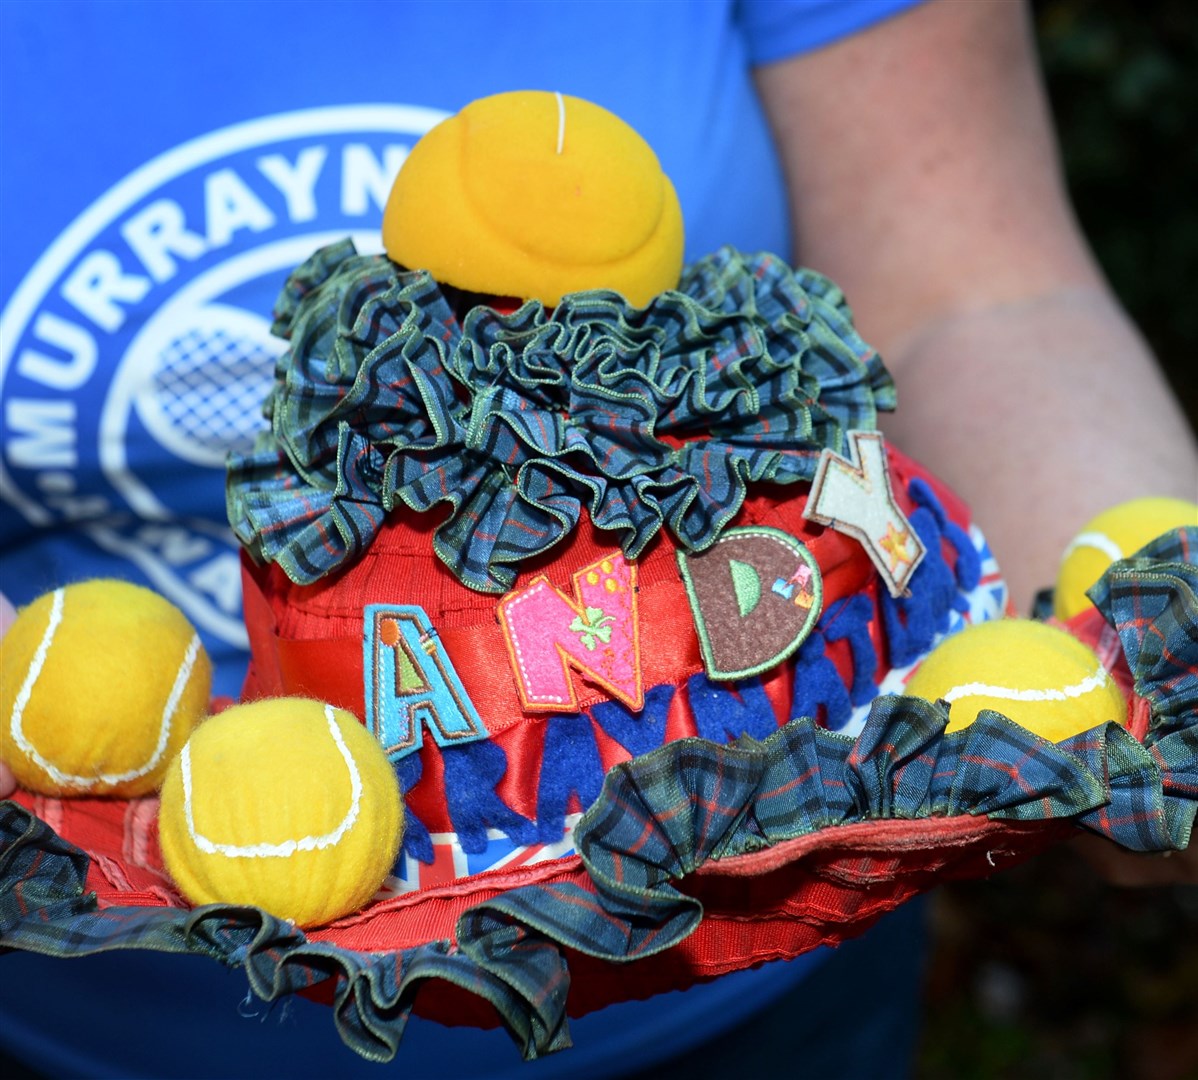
<point x="1036" y="675"/>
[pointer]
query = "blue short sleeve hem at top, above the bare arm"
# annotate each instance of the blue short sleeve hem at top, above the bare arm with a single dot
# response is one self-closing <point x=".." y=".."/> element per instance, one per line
<point x="777" y="29"/>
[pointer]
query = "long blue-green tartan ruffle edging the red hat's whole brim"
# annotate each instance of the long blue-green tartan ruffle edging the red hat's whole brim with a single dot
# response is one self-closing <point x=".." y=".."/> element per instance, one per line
<point x="685" y="809"/>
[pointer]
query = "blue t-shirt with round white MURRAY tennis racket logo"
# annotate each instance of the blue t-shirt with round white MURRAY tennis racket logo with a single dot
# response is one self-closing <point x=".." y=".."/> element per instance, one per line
<point x="166" y="166"/>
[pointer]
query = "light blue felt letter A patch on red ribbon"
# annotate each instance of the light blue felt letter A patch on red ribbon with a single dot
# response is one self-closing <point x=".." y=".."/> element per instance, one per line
<point x="412" y="684"/>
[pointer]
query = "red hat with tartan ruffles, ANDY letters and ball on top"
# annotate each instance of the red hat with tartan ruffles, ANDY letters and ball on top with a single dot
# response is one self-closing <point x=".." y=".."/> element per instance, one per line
<point x="630" y="588"/>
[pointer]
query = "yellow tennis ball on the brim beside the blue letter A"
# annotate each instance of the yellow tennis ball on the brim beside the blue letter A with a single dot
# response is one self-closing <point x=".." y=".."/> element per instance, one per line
<point x="285" y="804"/>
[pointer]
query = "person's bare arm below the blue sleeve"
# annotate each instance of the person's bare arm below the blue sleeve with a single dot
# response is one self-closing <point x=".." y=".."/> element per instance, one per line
<point x="927" y="184"/>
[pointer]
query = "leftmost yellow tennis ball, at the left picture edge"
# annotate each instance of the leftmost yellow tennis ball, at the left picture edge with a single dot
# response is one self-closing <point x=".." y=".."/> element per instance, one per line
<point x="101" y="683"/>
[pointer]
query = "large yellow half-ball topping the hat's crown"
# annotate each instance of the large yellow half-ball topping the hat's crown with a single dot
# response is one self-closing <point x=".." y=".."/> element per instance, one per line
<point x="535" y="196"/>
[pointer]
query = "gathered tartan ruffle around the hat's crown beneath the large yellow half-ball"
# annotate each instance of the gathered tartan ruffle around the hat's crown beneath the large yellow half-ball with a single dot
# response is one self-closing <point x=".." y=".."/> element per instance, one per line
<point x="648" y="418"/>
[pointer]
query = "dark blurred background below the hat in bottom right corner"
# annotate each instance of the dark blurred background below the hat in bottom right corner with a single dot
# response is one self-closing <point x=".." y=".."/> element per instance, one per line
<point x="1046" y="972"/>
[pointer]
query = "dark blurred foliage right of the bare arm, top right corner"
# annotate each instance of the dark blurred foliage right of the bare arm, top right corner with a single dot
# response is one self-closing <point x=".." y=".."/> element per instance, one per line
<point x="1123" y="81"/>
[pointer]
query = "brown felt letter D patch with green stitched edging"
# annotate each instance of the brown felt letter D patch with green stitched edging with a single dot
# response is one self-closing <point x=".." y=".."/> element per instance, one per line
<point x="755" y="594"/>
